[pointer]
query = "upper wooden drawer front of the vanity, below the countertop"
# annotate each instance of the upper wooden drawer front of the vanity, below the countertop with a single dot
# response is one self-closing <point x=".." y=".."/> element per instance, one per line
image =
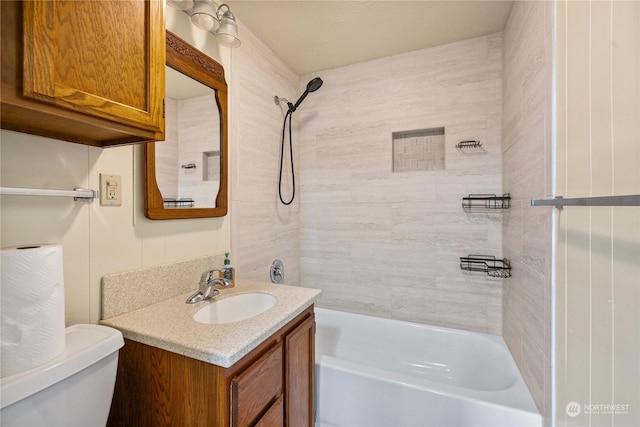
<point x="257" y="388"/>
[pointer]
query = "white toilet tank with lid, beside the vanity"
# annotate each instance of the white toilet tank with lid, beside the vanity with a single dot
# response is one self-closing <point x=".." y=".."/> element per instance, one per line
<point x="75" y="389"/>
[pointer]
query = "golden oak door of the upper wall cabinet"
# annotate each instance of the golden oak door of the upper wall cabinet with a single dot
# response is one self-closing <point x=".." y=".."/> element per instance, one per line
<point x="102" y="58"/>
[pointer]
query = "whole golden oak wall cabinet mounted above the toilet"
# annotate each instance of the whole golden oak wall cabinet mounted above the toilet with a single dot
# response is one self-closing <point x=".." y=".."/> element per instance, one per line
<point x="89" y="71"/>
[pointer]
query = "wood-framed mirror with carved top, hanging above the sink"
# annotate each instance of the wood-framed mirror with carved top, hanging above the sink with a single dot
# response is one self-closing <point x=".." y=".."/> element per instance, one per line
<point x="186" y="175"/>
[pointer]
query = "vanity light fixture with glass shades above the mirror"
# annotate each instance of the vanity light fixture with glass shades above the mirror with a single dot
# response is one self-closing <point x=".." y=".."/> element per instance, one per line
<point x="207" y="15"/>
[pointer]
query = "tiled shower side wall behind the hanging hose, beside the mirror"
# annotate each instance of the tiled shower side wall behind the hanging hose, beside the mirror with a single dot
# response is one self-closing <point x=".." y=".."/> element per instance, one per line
<point x="262" y="229"/>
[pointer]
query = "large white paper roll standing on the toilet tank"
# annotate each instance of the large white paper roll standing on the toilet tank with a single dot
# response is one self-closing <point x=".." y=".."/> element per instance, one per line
<point x="32" y="285"/>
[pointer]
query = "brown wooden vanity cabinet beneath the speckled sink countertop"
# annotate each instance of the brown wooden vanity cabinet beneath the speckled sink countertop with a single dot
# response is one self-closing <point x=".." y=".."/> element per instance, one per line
<point x="272" y="386"/>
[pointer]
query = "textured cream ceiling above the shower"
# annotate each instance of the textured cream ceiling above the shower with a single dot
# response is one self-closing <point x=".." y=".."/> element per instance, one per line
<point x="316" y="35"/>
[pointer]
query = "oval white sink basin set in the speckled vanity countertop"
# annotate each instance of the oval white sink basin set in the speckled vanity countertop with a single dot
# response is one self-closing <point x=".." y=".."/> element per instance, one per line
<point x="234" y="308"/>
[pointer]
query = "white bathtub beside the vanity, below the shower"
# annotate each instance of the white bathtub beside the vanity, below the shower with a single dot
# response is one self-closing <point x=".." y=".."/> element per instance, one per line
<point x="382" y="372"/>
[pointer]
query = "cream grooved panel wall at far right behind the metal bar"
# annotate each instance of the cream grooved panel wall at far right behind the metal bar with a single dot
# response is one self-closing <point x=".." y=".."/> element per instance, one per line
<point x="597" y="310"/>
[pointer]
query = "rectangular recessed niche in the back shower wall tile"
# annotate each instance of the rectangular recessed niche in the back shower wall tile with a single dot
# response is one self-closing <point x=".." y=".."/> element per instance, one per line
<point x="418" y="150"/>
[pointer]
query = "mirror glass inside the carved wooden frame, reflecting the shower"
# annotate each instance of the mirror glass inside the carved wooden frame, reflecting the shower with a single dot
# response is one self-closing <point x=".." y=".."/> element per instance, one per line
<point x="188" y="161"/>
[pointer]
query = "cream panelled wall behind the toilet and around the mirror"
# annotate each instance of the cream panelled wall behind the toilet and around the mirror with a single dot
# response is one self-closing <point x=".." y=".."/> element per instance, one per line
<point x="98" y="240"/>
